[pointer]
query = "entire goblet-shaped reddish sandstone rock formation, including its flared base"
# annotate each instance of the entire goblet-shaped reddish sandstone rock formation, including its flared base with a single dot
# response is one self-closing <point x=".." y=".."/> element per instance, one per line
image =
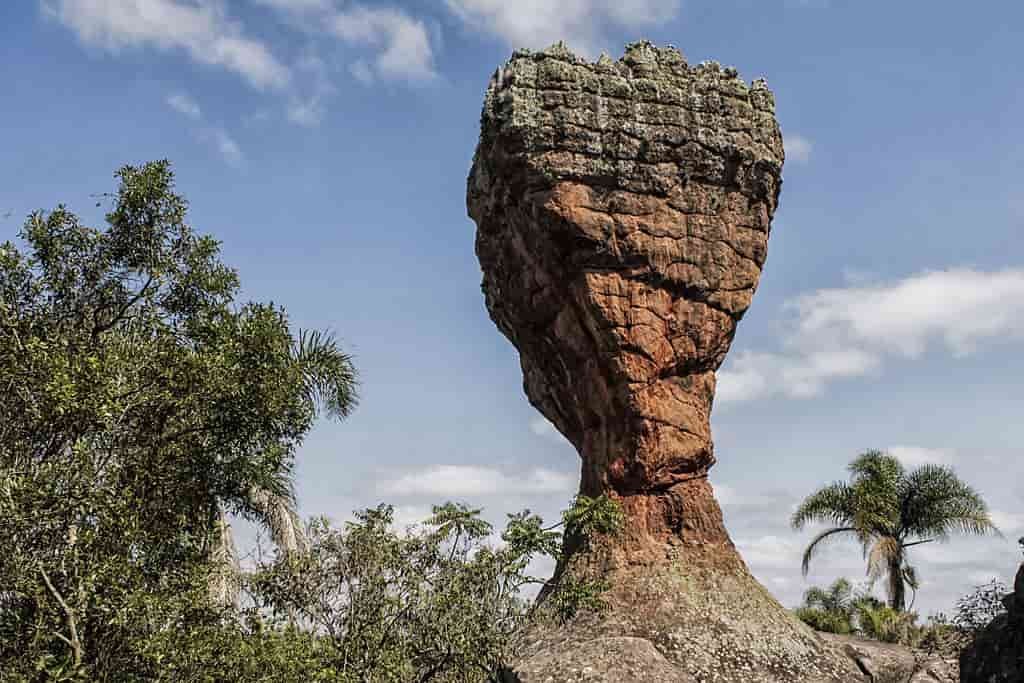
<point x="623" y="211"/>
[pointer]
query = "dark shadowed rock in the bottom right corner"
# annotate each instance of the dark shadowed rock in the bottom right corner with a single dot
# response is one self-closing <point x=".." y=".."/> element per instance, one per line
<point x="998" y="654"/>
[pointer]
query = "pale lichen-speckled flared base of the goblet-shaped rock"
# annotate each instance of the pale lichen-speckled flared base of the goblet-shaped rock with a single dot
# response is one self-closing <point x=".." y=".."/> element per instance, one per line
<point x="681" y="622"/>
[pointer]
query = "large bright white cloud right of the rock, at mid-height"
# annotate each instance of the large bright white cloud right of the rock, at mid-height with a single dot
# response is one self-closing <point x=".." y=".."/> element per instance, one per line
<point x="850" y="332"/>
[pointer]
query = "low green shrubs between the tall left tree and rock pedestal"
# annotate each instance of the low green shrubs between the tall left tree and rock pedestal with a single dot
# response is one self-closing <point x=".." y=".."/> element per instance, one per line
<point x="435" y="603"/>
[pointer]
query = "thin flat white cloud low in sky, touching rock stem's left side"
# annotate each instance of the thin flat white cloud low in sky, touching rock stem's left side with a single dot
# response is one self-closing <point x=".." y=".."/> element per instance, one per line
<point x="468" y="481"/>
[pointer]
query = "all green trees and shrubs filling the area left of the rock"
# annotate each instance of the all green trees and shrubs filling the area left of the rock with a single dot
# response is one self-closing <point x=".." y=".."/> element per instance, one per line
<point x="145" y="406"/>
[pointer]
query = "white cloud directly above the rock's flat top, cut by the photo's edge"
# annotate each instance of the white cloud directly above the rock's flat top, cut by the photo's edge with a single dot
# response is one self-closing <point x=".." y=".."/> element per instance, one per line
<point x="583" y="24"/>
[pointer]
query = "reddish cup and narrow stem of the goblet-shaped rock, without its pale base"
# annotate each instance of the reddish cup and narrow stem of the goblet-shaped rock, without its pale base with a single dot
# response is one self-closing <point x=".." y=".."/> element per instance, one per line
<point x="624" y="212"/>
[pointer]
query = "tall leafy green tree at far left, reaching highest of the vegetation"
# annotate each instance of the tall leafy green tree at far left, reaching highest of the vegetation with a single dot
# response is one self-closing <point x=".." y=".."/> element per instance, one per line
<point x="142" y="405"/>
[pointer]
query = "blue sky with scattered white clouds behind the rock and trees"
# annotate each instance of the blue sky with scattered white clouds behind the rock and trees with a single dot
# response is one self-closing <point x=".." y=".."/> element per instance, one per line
<point x="327" y="144"/>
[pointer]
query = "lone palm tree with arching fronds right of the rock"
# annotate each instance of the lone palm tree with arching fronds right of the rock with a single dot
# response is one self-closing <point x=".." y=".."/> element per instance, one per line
<point x="888" y="510"/>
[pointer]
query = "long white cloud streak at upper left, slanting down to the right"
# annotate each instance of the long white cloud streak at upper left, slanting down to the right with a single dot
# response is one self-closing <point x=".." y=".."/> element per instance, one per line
<point x="199" y="29"/>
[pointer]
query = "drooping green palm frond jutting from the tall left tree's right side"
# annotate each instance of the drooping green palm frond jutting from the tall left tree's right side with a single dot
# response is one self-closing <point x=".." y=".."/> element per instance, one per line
<point x="330" y="380"/>
